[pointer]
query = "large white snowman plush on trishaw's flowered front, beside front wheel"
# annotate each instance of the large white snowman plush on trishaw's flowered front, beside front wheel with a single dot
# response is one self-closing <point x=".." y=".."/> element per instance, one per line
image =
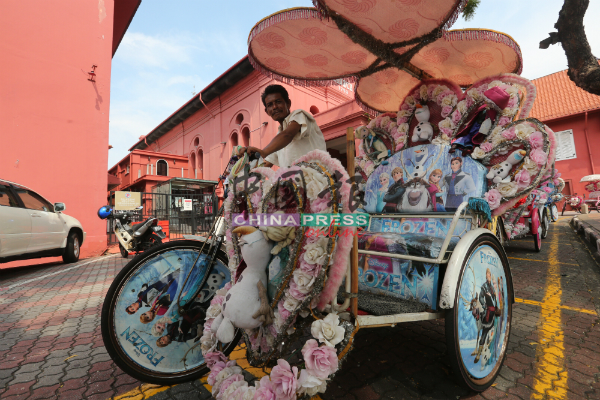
<point x="246" y="305"/>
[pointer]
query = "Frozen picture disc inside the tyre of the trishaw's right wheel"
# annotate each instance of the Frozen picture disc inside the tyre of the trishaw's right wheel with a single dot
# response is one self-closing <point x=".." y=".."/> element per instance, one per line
<point x="482" y="312"/>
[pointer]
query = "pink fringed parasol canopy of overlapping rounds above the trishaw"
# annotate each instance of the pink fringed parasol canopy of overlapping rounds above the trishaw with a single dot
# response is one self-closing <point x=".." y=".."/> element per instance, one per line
<point x="384" y="47"/>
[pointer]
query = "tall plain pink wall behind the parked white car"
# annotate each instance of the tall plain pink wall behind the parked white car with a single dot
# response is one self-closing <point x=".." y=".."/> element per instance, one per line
<point x="53" y="121"/>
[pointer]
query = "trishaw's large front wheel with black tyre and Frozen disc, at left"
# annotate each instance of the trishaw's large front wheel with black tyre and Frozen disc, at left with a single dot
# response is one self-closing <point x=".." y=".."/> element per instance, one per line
<point x="164" y="270"/>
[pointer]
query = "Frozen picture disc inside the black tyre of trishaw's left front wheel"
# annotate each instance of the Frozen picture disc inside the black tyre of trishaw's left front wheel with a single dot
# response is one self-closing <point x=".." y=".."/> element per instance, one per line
<point x="150" y="328"/>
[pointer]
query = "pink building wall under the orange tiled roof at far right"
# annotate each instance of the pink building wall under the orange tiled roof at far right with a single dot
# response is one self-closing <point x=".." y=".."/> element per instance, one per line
<point x="573" y="170"/>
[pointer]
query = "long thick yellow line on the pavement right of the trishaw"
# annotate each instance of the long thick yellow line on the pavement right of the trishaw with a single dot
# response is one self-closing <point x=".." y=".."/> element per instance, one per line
<point x="551" y="375"/>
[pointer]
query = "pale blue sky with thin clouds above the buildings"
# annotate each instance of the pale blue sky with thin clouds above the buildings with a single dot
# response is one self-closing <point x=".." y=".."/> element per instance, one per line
<point x="173" y="49"/>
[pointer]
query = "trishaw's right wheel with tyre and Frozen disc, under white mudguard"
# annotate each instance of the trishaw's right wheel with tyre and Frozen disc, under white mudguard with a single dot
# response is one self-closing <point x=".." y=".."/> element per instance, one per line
<point x="478" y="326"/>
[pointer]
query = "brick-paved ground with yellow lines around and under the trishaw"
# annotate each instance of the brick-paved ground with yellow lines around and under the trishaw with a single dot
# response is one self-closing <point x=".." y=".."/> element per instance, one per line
<point x="51" y="347"/>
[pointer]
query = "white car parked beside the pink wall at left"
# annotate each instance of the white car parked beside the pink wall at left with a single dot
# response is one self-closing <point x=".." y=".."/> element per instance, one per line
<point x="32" y="227"/>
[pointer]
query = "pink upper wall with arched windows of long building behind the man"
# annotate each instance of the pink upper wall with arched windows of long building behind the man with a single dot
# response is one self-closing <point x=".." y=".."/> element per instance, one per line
<point x="201" y="135"/>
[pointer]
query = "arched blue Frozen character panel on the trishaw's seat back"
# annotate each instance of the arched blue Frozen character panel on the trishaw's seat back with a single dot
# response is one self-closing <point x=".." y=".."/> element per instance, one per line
<point x="424" y="178"/>
